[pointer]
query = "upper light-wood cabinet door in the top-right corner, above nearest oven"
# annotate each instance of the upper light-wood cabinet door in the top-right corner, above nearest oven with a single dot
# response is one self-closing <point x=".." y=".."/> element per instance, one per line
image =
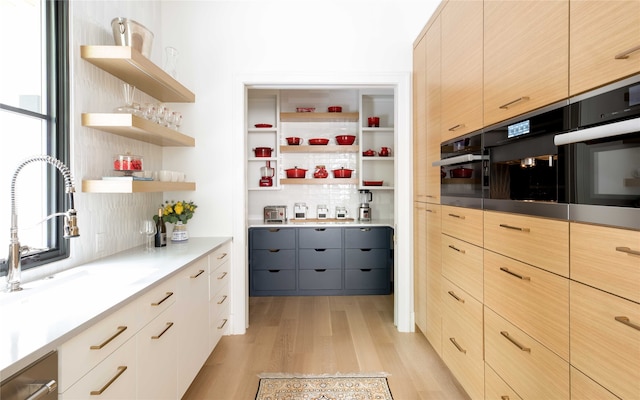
<point x="604" y="42"/>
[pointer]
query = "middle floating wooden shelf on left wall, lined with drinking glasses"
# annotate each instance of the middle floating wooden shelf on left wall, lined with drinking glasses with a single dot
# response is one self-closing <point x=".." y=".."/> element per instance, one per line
<point x="134" y="127"/>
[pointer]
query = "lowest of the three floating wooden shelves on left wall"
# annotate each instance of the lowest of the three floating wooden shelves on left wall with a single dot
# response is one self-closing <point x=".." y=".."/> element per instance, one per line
<point x="127" y="186"/>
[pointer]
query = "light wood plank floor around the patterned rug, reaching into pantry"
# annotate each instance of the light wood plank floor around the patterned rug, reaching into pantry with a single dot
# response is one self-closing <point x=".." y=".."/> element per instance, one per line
<point x="315" y="335"/>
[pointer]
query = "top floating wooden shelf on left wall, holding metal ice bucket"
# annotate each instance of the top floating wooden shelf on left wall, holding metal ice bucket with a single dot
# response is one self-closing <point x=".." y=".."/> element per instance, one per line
<point x="132" y="67"/>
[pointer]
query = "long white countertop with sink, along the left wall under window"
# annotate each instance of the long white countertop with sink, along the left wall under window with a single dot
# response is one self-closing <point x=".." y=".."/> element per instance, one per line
<point x="48" y="312"/>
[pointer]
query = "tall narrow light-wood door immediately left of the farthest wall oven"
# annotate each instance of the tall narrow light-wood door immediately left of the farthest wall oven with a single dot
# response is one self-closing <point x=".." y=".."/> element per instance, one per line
<point x="434" y="108"/>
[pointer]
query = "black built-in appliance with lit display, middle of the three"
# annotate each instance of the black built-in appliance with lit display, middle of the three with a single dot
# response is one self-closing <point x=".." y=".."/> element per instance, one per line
<point x="527" y="172"/>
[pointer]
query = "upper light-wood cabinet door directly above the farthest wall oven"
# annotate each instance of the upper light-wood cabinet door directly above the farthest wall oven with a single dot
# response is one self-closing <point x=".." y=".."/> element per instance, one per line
<point x="461" y="71"/>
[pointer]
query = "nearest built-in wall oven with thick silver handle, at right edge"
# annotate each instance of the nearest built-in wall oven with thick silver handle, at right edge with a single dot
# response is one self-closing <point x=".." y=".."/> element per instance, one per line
<point x="604" y="154"/>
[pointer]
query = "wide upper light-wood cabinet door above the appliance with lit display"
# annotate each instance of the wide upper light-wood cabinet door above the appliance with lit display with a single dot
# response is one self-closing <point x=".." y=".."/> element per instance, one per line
<point x="526" y="56"/>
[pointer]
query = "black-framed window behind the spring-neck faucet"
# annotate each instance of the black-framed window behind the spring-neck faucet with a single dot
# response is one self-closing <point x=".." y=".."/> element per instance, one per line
<point x="34" y="120"/>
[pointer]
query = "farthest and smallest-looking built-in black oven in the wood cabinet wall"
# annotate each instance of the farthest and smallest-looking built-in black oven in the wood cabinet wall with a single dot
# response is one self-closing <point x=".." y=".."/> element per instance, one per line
<point x="463" y="170"/>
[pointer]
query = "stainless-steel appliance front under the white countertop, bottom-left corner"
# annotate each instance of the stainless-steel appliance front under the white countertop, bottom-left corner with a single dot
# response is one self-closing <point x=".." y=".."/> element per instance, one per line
<point x="38" y="381"/>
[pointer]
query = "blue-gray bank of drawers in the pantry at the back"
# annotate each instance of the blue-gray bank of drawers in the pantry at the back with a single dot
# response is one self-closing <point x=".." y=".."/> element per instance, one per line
<point x="314" y="261"/>
